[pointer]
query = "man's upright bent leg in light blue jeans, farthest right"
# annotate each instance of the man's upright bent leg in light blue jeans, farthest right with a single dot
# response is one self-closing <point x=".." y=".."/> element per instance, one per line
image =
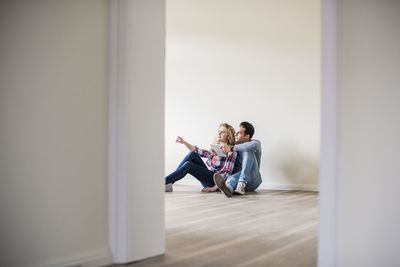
<point x="250" y="175"/>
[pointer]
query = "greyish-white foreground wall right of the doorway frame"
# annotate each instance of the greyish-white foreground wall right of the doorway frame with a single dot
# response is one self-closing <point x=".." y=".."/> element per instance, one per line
<point x="369" y="130"/>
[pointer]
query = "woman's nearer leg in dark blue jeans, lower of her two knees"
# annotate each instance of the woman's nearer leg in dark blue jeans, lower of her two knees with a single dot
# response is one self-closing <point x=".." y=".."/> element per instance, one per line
<point x="201" y="173"/>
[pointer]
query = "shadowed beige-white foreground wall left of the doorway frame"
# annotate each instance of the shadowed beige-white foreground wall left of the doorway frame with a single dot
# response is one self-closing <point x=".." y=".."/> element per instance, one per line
<point x="53" y="141"/>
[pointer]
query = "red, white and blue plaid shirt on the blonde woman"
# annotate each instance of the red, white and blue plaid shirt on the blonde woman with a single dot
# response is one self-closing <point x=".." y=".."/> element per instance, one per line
<point x="223" y="165"/>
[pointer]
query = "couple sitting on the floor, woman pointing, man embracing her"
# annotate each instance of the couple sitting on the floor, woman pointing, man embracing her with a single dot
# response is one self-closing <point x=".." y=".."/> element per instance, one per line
<point x="238" y="171"/>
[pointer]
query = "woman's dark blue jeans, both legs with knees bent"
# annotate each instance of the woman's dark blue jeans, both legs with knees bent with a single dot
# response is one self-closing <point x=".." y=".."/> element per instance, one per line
<point x="195" y="166"/>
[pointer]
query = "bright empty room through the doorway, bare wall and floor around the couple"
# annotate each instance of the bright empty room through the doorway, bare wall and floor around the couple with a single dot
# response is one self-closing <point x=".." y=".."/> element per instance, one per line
<point x="230" y="62"/>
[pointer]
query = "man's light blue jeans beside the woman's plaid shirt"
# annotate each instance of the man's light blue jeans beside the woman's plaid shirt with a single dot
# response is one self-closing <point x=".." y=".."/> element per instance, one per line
<point x="249" y="173"/>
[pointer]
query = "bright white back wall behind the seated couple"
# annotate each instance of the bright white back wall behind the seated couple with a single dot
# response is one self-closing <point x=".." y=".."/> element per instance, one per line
<point x="230" y="61"/>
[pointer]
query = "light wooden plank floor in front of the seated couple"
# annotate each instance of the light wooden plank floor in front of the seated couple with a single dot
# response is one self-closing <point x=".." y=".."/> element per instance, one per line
<point x="263" y="228"/>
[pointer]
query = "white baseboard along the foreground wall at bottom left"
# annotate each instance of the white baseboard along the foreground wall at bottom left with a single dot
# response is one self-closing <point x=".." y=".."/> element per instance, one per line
<point x="94" y="260"/>
